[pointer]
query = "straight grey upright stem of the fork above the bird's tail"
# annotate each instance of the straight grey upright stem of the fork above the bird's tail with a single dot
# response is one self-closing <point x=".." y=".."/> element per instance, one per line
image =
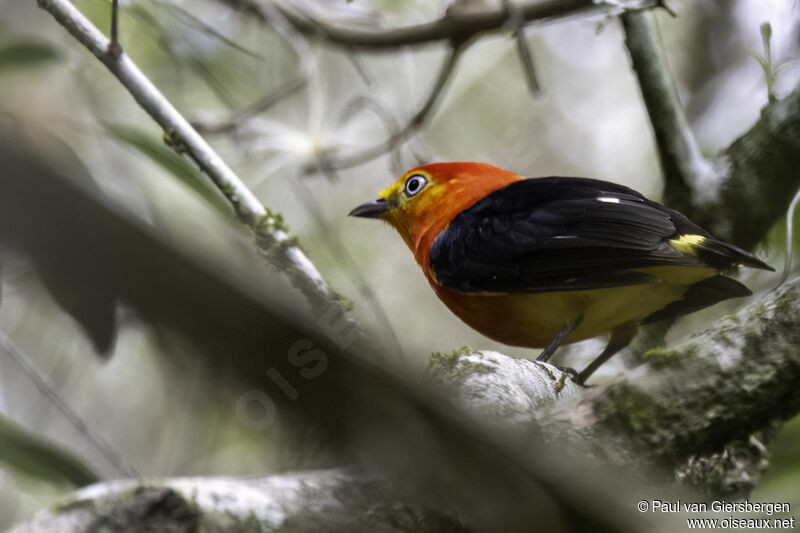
<point x="682" y="163"/>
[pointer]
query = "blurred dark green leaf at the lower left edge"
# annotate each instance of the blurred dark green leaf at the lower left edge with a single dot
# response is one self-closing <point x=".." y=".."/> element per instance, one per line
<point x="29" y="453"/>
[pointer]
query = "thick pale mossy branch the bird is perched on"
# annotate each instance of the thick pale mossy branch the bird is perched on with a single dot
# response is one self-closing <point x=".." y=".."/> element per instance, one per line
<point x="685" y="406"/>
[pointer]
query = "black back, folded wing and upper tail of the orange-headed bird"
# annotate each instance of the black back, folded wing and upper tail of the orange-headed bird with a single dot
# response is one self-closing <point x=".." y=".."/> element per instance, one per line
<point x="550" y="234"/>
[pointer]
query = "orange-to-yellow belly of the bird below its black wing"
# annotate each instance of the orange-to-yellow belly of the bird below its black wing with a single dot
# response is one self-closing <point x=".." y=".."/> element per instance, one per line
<point x="533" y="320"/>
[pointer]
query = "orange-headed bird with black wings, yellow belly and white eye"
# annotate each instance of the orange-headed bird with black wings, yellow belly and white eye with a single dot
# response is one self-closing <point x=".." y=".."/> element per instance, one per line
<point x="545" y="262"/>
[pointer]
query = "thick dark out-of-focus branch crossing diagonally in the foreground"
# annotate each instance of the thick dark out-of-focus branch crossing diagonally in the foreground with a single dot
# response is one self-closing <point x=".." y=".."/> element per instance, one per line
<point x="353" y="405"/>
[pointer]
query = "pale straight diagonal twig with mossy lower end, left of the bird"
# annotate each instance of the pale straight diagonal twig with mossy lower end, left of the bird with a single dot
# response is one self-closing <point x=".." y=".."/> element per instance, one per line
<point x="272" y="236"/>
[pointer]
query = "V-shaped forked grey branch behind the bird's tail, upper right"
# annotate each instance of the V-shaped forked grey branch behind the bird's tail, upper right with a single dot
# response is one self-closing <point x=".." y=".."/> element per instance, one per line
<point x="745" y="189"/>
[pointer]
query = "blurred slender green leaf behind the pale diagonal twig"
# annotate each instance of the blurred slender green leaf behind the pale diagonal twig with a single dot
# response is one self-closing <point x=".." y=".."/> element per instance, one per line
<point x="166" y="158"/>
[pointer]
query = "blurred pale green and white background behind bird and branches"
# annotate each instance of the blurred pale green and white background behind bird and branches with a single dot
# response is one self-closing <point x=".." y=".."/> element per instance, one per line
<point x="139" y="413"/>
